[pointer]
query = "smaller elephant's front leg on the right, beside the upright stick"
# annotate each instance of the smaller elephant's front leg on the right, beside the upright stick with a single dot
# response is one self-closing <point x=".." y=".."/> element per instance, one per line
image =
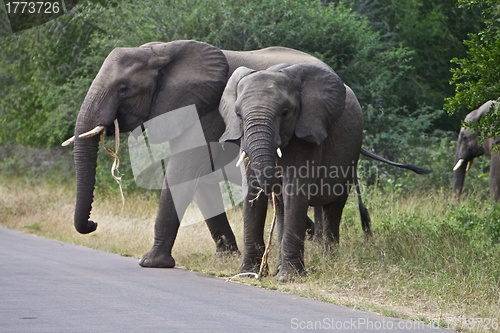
<point x="292" y="243"/>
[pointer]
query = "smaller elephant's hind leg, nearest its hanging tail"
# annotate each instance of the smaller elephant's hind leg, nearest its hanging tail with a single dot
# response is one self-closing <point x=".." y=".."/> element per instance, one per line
<point x="332" y="214"/>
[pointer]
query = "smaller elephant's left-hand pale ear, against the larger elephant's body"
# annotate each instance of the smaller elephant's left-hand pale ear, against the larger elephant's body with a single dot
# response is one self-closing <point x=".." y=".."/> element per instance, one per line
<point x="234" y="129"/>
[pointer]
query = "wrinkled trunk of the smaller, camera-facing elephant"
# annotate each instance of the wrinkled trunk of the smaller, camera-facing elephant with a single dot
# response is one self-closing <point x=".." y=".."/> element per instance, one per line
<point x="261" y="148"/>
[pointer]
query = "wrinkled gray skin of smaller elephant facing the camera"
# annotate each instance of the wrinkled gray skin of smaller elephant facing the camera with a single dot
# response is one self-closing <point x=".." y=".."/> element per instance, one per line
<point x="302" y="110"/>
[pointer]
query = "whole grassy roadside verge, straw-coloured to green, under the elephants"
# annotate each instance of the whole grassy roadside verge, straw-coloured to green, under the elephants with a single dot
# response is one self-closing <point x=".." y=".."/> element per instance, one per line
<point x="432" y="258"/>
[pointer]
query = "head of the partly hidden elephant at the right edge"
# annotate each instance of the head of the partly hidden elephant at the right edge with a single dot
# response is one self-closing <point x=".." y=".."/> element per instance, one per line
<point x="469" y="148"/>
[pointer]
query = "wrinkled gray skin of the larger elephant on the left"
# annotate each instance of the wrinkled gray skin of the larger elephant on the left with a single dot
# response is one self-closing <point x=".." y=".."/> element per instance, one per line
<point x="138" y="84"/>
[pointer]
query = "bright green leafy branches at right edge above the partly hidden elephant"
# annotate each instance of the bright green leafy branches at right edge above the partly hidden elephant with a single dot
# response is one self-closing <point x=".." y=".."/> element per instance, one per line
<point x="477" y="77"/>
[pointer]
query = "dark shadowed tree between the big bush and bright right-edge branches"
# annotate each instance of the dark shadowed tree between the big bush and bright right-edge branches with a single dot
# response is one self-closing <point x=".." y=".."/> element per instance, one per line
<point x="433" y="31"/>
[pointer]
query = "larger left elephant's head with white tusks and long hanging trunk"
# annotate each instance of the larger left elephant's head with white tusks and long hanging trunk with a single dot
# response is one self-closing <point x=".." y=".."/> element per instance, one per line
<point x="133" y="86"/>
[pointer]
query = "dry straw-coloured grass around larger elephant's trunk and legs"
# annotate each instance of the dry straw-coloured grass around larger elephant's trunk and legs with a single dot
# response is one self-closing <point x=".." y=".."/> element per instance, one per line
<point x="126" y="230"/>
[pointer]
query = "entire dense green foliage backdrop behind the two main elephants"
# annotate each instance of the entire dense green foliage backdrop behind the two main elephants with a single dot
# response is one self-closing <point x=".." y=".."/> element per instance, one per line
<point x="394" y="54"/>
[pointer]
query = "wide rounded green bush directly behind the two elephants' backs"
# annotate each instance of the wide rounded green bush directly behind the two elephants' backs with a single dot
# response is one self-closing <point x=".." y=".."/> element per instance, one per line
<point x="378" y="72"/>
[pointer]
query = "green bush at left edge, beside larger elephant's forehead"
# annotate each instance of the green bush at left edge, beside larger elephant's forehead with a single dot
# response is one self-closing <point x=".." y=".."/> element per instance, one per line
<point x="37" y="107"/>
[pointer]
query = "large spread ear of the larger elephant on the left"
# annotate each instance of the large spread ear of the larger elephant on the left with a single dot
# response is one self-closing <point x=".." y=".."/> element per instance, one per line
<point x="189" y="72"/>
